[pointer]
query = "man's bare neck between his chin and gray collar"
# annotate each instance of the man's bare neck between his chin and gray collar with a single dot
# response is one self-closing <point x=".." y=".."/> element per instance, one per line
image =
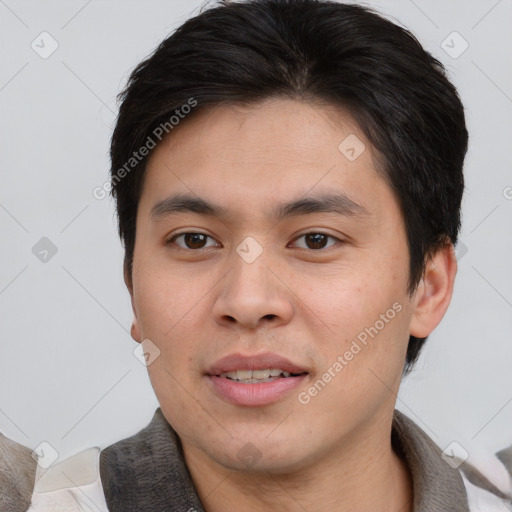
<point x="362" y="474"/>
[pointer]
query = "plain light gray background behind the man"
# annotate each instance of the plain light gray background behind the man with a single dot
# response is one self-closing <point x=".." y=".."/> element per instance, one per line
<point x="68" y="375"/>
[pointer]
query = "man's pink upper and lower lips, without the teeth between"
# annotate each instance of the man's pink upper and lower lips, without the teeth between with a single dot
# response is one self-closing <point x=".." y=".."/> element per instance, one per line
<point x="254" y="394"/>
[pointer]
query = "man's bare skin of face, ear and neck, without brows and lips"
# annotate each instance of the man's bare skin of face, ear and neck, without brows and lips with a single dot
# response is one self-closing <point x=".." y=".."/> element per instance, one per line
<point x="308" y="304"/>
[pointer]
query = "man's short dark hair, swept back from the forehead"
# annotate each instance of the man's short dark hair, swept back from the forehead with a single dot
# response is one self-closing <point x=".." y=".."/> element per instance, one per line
<point x="312" y="50"/>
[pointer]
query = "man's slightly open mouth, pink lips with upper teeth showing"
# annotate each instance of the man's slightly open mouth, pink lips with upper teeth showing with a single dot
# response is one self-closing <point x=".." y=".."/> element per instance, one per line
<point x="255" y="380"/>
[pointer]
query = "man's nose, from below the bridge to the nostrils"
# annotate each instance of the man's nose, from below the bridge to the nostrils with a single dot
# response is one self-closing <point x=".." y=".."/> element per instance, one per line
<point x="252" y="294"/>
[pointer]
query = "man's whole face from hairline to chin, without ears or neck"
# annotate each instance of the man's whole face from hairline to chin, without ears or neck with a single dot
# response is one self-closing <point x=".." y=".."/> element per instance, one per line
<point x="317" y="288"/>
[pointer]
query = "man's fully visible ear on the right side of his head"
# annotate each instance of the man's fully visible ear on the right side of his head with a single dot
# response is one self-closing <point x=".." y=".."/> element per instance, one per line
<point x="434" y="292"/>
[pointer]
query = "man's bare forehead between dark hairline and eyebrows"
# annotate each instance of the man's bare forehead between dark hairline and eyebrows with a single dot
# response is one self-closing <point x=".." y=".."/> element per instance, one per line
<point x="264" y="153"/>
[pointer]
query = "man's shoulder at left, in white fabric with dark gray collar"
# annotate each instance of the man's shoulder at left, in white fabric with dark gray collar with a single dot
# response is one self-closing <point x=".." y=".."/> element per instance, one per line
<point x="145" y="472"/>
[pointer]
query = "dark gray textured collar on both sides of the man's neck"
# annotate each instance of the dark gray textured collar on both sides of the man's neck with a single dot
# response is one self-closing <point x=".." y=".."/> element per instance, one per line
<point x="147" y="472"/>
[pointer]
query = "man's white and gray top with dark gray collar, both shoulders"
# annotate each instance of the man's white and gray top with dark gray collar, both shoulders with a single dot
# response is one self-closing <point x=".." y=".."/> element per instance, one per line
<point x="147" y="473"/>
